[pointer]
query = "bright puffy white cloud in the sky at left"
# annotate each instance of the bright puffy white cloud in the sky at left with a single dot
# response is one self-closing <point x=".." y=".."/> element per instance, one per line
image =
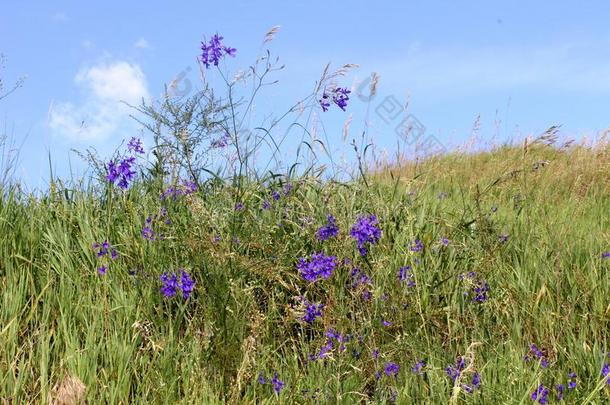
<point x="102" y="113"/>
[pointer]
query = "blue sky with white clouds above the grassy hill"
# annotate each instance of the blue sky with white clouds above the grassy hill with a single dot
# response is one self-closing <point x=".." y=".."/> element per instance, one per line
<point x="521" y="66"/>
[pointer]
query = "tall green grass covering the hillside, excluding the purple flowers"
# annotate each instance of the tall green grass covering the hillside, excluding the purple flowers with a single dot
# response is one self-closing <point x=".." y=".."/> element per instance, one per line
<point x="116" y="333"/>
